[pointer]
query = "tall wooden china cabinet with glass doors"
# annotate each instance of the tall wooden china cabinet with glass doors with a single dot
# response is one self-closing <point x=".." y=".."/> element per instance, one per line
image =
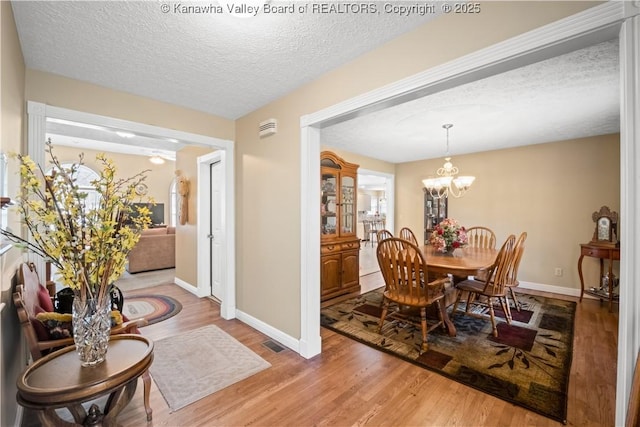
<point x="340" y="247"/>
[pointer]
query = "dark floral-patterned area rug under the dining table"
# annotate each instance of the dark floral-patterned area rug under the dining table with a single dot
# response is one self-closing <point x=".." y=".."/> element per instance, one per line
<point x="528" y="364"/>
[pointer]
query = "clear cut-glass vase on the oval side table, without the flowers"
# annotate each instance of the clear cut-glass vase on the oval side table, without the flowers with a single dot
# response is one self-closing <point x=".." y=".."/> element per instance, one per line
<point x="91" y="328"/>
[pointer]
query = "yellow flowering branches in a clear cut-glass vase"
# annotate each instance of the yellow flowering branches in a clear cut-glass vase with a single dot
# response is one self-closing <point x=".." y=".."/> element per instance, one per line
<point x="86" y="239"/>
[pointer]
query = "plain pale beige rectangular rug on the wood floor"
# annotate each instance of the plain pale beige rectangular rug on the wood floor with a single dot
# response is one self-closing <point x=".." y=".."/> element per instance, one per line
<point x="190" y="366"/>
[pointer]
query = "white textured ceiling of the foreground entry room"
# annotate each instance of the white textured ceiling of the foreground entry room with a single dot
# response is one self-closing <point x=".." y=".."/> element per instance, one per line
<point x="211" y="62"/>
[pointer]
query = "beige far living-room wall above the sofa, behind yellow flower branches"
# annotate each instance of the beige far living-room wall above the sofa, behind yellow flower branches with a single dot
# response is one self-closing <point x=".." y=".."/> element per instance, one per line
<point x="159" y="177"/>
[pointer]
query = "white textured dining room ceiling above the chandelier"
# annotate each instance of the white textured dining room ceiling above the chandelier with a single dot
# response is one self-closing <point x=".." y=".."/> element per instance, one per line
<point x="575" y="95"/>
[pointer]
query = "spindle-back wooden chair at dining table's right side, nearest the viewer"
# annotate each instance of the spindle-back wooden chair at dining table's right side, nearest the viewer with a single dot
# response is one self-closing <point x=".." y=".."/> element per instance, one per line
<point x="485" y="293"/>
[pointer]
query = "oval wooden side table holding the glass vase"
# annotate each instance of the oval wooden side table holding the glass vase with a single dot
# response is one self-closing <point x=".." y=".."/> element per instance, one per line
<point x="59" y="381"/>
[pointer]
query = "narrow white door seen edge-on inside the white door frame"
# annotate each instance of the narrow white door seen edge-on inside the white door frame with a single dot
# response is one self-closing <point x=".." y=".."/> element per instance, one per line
<point x="215" y="229"/>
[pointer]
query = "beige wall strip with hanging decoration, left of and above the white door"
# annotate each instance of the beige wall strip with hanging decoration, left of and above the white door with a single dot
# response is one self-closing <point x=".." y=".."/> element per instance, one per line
<point x="186" y="235"/>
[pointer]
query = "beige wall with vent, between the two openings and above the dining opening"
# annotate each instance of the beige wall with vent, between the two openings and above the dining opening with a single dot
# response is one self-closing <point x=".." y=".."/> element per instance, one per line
<point x="268" y="171"/>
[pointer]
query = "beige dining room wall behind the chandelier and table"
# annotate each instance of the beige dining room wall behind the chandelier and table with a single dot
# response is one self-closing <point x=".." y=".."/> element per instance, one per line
<point x="548" y="190"/>
